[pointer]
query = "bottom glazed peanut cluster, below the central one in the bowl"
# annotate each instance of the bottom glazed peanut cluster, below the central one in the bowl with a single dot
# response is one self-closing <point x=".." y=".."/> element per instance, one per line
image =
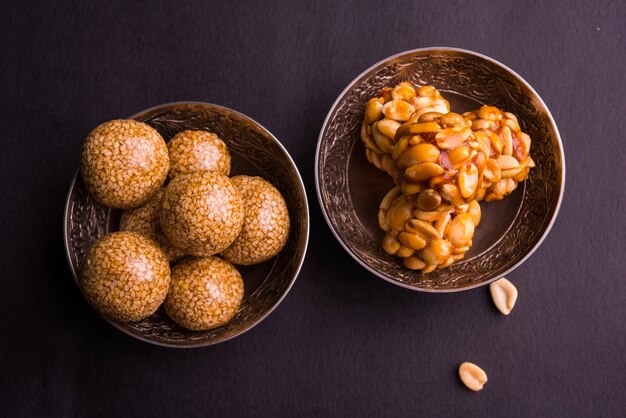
<point x="429" y="236"/>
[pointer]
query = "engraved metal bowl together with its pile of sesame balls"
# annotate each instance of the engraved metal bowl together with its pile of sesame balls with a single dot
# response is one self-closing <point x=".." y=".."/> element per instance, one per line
<point x="193" y="215"/>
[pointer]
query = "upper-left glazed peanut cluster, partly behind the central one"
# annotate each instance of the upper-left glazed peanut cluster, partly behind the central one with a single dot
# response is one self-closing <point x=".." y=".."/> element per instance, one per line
<point x="384" y="115"/>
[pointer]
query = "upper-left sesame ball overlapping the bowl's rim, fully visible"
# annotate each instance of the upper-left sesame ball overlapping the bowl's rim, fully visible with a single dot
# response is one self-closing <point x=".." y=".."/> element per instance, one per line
<point x="123" y="163"/>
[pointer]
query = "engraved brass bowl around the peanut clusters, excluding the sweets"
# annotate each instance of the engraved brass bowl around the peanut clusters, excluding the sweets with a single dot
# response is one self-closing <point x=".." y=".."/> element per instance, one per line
<point x="350" y="189"/>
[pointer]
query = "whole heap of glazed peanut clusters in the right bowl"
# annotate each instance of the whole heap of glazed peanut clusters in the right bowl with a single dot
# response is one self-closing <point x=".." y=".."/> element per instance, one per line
<point x="443" y="164"/>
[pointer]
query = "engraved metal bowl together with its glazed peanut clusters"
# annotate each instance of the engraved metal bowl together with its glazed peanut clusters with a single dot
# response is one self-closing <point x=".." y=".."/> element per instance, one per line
<point x="439" y="169"/>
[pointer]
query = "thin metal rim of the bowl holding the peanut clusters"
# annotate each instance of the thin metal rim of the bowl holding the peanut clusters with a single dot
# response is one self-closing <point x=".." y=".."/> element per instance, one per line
<point x="383" y="62"/>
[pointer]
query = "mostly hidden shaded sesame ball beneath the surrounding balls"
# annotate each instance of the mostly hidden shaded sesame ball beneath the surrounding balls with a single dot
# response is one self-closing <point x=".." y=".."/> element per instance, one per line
<point x="145" y="221"/>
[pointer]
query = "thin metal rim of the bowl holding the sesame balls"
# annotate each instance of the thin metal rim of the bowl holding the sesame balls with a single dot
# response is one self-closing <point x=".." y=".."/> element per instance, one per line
<point x="306" y="224"/>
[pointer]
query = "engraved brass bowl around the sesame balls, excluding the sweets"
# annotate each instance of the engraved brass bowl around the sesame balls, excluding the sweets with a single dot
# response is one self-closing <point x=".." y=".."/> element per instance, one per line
<point x="254" y="151"/>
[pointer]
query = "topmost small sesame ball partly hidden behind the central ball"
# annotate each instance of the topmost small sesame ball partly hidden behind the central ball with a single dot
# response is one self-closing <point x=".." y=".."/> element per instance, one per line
<point x="198" y="151"/>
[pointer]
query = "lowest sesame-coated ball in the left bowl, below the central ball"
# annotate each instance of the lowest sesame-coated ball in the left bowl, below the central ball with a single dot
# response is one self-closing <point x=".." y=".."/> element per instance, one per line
<point x="205" y="293"/>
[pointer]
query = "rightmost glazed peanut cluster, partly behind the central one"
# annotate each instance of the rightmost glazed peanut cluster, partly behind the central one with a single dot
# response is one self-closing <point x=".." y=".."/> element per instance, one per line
<point x="509" y="147"/>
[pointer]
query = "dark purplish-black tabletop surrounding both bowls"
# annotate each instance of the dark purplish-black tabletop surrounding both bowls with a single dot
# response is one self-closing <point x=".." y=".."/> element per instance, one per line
<point x="343" y="343"/>
